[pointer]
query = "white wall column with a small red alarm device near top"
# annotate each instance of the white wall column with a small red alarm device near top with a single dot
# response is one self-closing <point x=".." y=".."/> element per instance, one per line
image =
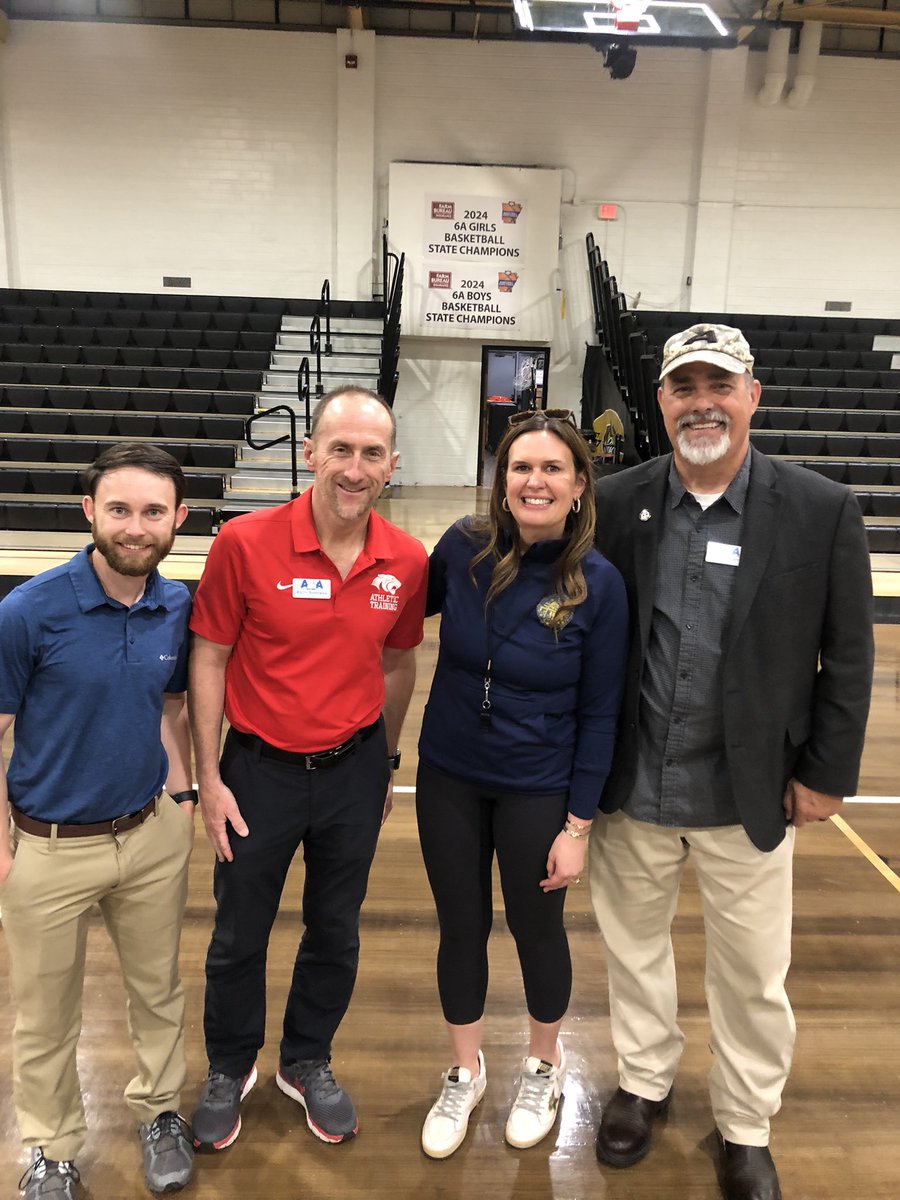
<point x="355" y="166"/>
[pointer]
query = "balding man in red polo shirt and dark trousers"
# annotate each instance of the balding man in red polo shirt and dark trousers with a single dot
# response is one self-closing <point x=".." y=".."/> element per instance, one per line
<point x="305" y="622"/>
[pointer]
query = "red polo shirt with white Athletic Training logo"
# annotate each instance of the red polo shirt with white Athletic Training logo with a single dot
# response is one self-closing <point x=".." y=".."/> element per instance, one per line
<point x="305" y="673"/>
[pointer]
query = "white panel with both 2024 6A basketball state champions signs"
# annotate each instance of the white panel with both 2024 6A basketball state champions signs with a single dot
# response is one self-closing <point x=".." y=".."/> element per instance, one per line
<point x="482" y="249"/>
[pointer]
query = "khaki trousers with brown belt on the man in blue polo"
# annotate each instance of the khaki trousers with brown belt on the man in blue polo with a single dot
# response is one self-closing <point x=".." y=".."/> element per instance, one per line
<point x="140" y="881"/>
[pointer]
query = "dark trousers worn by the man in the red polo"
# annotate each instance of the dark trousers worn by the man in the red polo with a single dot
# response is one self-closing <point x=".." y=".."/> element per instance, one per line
<point x="335" y="814"/>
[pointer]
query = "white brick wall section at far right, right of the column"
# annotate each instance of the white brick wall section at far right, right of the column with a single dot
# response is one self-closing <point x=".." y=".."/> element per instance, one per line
<point x="818" y="196"/>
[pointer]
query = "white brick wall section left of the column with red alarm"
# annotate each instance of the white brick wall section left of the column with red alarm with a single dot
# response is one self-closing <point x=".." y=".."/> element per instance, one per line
<point x="141" y="152"/>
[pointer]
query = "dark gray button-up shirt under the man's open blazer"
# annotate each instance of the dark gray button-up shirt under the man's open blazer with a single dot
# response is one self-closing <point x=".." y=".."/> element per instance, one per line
<point x="683" y="777"/>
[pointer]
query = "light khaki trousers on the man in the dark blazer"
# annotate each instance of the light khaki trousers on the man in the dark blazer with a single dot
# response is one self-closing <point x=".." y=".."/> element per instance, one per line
<point x="635" y="875"/>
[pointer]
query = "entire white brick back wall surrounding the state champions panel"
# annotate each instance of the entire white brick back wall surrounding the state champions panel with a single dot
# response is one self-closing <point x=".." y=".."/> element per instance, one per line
<point x="137" y="152"/>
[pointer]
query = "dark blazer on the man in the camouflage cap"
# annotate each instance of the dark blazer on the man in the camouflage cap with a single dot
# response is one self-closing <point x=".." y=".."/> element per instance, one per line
<point x="799" y="656"/>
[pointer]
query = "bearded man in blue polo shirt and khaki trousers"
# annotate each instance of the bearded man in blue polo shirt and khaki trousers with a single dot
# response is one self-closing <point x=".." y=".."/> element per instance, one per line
<point x="93" y="674"/>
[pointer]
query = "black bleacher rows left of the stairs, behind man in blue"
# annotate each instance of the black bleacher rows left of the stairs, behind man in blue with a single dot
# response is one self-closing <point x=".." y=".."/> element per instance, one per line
<point x="81" y="371"/>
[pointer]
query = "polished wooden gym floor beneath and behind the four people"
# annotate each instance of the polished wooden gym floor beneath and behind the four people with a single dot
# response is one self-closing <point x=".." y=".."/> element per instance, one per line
<point x="836" y="1136"/>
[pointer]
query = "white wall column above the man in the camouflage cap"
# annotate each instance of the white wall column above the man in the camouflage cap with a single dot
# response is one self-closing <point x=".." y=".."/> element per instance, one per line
<point x="718" y="173"/>
